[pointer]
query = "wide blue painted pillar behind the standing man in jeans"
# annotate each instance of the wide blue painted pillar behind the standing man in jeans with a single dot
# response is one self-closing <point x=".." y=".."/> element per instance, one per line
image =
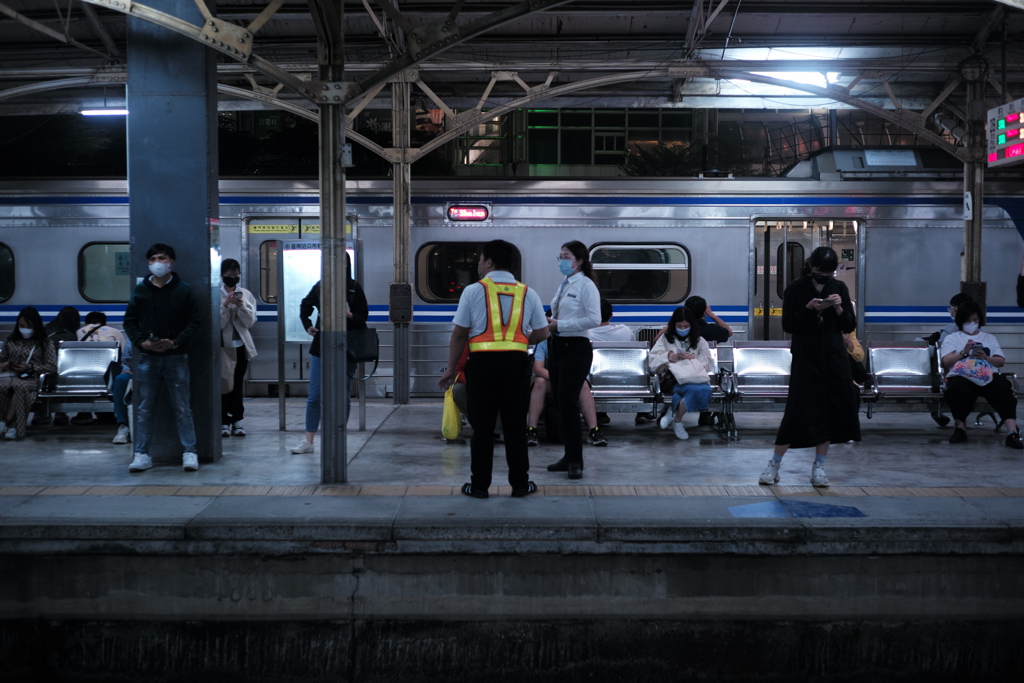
<point x="173" y="190"/>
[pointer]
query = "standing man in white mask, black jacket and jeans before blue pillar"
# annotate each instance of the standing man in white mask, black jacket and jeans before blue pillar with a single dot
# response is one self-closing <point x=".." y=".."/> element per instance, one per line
<point x="161" y="321"/>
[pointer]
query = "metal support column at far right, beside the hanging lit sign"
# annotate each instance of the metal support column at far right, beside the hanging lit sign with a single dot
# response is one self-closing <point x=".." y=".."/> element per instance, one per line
<point x="974" y="195"/>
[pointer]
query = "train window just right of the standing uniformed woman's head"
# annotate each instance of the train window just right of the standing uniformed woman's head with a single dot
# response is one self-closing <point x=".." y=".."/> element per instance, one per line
<point x="643" y="273"/>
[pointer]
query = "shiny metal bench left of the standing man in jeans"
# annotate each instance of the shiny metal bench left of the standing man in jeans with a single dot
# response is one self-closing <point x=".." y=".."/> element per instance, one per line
<point x="82" y="383"/>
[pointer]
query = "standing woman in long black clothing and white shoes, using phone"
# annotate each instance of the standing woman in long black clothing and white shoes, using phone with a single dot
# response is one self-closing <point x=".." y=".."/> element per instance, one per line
<point x="823" y="404"/>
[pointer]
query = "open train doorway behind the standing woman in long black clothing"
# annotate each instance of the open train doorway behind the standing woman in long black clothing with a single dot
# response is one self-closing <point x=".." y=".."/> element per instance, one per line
<point x="780" y="249"/>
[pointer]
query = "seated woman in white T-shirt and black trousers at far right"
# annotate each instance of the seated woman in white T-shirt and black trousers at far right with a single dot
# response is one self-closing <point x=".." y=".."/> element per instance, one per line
<point x="971" y="343"/>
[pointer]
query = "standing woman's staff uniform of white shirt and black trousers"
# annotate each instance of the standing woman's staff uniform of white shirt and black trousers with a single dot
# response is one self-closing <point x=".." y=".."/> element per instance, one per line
<point x="577" y="307"/>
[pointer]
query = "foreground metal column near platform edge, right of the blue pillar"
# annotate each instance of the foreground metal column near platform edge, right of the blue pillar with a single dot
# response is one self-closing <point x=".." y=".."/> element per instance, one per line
<point x="331" y="55"/>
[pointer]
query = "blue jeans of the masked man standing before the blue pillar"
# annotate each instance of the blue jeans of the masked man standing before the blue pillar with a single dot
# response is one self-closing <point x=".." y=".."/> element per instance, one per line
<point x="154" y="372"/>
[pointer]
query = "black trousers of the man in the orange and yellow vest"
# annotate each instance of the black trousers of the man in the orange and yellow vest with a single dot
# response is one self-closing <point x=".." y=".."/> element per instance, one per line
<point x="498" y="382"/>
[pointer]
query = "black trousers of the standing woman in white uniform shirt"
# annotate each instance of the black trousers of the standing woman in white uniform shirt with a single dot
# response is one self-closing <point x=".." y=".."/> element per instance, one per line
<point x="569" y="364"/>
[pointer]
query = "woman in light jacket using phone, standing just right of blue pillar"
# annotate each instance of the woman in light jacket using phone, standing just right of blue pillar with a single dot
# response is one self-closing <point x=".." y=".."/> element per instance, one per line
<point x="238" y="314"/>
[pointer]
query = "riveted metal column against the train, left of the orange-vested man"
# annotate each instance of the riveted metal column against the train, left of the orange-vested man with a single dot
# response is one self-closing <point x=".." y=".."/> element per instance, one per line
<point x="401" y="300"/>
